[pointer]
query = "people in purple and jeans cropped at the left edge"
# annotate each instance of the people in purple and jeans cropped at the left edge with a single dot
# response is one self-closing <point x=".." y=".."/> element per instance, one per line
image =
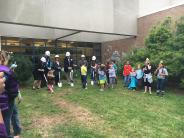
<point x="8" y="93"/>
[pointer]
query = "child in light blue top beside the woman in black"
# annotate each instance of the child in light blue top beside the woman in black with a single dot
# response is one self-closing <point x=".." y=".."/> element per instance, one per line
<point x="139" y="76"/>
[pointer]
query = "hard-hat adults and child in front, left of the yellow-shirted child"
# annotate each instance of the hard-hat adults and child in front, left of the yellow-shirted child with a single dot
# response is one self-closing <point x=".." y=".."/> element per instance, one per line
<point x="47" y="72"/>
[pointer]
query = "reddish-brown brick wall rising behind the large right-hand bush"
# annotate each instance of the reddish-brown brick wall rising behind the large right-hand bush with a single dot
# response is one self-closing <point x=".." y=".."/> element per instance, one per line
<point x="144" y="25"/>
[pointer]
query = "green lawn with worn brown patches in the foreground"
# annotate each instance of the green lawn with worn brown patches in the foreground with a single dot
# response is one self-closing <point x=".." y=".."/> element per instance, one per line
<point x="74" y="112"/>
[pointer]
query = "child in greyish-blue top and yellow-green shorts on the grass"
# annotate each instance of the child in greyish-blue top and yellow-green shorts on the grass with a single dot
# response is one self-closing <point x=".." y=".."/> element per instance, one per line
<point x="102" y="77"/>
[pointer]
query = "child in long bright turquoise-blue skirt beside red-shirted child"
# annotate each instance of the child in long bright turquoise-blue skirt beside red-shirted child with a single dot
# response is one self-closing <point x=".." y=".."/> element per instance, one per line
<point x="133" y="80"/>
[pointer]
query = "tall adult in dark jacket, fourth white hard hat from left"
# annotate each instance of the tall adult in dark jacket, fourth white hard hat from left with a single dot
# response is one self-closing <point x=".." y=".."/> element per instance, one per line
<point x="68" y="68"/>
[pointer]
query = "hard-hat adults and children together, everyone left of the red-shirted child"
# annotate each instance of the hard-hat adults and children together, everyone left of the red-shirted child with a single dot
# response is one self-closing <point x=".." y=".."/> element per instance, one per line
<point x="48" y="73"/>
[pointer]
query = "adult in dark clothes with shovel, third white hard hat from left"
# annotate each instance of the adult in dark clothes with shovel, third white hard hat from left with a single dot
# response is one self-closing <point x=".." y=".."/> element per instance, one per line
<point x="57" y="71"/>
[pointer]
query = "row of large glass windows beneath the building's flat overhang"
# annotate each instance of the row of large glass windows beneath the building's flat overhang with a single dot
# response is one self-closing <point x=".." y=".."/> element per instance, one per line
<point x="33" y="47"/>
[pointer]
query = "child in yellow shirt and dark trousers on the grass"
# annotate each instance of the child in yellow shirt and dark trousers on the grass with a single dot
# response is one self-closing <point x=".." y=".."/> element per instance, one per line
<point x="84" y="75"/>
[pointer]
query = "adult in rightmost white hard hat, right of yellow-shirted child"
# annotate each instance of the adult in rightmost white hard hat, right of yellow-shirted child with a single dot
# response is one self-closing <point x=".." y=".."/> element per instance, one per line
<point x="94" y="68"/>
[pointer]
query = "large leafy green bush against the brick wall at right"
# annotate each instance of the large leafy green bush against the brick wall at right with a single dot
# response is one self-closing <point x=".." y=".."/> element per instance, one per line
<point x="164" y="42"/>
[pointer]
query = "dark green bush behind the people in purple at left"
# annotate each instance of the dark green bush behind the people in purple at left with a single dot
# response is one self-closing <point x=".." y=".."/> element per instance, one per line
<point x="24" y="69"/>
